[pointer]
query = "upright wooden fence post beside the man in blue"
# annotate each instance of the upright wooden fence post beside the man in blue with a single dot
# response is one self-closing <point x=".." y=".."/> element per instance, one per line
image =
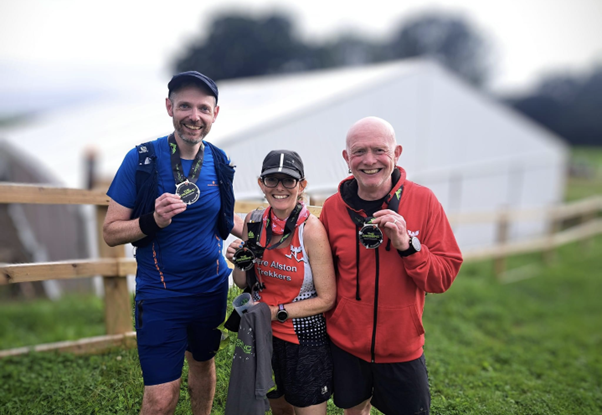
<point x="118" y="307"/>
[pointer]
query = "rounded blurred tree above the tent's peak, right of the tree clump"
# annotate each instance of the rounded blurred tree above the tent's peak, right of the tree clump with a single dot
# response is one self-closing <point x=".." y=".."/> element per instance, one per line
<point x="447" y="39"/>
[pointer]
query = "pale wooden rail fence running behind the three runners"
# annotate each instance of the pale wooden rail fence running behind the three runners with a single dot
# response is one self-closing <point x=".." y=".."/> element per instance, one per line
<point x="114" y="267"/>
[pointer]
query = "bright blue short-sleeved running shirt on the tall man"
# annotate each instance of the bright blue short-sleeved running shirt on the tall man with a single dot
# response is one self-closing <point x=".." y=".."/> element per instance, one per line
<point x="185" y="258"/>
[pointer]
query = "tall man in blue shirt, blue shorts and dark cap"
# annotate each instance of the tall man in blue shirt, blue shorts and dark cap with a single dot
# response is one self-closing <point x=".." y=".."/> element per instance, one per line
<point x="182" y="276"/>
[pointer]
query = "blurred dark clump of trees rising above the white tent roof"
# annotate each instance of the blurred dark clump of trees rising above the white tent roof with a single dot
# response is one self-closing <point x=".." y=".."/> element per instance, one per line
<point x="240" y="46"/>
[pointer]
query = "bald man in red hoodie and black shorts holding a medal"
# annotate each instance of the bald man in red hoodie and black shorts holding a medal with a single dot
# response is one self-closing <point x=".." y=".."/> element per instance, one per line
<point x="404" y="247"/>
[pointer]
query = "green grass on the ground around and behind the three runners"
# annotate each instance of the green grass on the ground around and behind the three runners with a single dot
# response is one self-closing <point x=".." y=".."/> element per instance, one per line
<point x="529" y="347"/>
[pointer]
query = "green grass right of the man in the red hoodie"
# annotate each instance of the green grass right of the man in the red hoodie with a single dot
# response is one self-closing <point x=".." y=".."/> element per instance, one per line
<point x="530" y="347"/>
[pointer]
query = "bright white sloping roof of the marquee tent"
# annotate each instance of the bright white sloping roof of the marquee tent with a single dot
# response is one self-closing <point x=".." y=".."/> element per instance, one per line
<point x="249" y="107"/>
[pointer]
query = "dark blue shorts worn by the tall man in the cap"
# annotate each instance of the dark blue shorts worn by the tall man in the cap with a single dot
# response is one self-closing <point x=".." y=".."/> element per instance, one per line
<point x="167" y="327"/>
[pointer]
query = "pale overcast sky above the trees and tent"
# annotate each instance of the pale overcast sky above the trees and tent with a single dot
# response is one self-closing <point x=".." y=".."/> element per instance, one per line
<point x="529" y="37"/>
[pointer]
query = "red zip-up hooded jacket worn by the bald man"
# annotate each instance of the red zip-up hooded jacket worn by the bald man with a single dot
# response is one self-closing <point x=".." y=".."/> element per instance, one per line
<point x="378" y="315"/>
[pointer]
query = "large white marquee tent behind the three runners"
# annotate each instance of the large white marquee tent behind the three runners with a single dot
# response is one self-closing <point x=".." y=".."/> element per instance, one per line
<point x="474" y="153"/>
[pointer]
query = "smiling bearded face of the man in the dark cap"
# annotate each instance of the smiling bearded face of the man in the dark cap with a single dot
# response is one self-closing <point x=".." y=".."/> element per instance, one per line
<point x="193" y="111"/>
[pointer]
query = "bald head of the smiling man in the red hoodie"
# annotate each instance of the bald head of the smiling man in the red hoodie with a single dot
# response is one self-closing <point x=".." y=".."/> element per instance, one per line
<point x="372" y="154"/>
